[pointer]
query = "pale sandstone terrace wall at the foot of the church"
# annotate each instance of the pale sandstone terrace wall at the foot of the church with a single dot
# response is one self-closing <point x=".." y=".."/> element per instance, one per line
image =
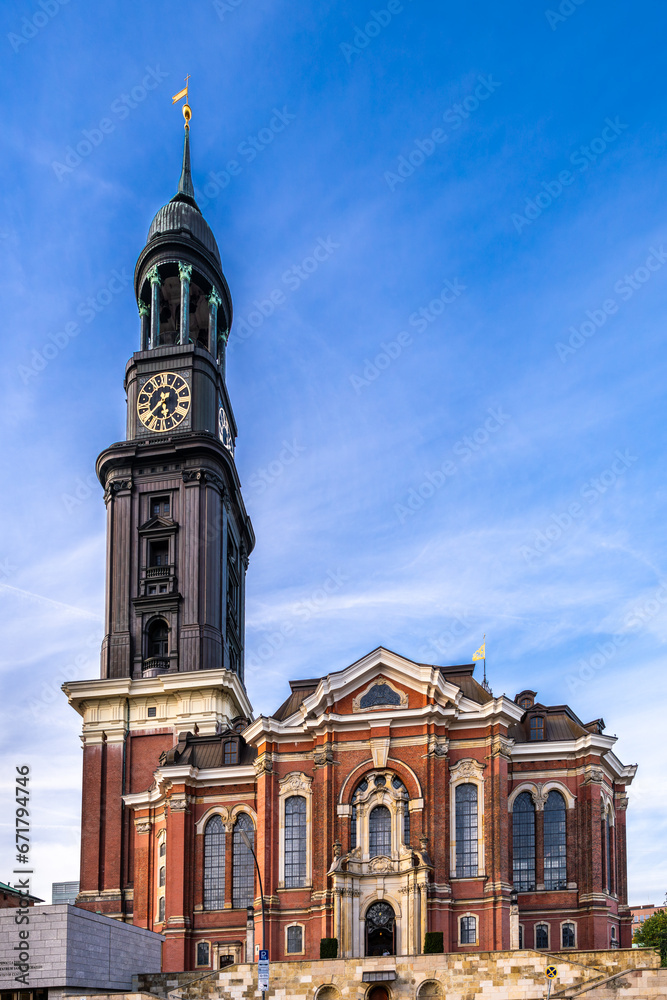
<point x="511" y="975"/>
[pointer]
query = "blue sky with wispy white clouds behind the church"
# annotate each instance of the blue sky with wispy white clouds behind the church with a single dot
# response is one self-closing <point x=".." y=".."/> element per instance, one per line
<point x="457" y="415"/>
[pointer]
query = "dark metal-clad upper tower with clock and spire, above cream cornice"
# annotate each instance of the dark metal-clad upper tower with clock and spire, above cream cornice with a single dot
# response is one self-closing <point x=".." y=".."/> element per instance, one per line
<point x="179" y="535"/>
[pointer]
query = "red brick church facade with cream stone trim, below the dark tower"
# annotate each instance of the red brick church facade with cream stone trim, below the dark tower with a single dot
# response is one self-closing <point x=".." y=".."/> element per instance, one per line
<point x="438" y="729"/>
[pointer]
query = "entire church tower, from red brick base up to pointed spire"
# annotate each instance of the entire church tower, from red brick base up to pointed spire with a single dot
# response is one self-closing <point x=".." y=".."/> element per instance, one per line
<point x="178" y="542"/>
